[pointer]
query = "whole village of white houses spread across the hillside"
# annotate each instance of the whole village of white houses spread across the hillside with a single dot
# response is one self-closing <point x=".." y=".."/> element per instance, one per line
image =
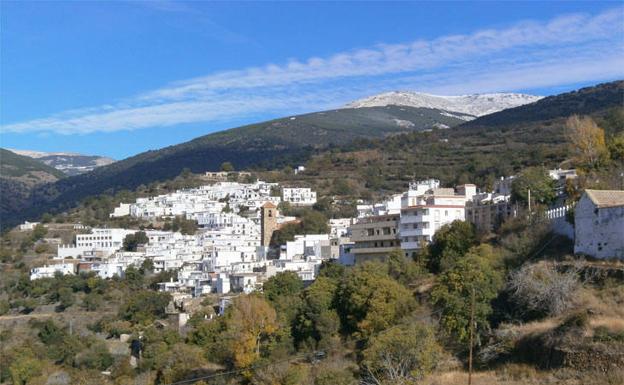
<point x="232" y="250"/>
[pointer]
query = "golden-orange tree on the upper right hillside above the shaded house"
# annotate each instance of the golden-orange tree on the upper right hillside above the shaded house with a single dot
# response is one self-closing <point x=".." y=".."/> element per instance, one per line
<point x="587" y="141"/>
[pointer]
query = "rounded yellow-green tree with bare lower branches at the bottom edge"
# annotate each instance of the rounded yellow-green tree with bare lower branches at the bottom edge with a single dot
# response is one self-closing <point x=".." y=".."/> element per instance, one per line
<point x="402" y="355"/>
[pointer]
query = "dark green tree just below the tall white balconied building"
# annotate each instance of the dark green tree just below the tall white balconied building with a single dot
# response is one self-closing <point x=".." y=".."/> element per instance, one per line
<point x="450" y="243"/>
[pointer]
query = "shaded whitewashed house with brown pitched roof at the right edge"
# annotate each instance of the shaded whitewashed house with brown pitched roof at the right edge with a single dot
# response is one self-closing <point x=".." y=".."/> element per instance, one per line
<point x="599" y="224"/>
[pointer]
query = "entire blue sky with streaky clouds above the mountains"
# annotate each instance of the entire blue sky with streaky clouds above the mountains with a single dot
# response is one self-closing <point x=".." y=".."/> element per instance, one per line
<point x="118" y="78"/>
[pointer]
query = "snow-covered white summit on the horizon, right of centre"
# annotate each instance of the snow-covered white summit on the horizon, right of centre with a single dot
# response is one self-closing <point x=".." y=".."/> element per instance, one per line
<point x="474" y="105"/>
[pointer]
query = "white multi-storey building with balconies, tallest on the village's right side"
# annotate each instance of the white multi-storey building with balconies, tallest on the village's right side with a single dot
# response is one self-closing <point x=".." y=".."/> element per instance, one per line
<point x="426" y="207"/>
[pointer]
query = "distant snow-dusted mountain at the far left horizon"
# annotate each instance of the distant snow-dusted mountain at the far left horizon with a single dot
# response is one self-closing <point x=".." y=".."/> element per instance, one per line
<point x="69" y="163"/>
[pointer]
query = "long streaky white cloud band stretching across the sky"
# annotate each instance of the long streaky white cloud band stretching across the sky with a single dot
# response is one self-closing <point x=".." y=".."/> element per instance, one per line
<point x="530" y="54"/>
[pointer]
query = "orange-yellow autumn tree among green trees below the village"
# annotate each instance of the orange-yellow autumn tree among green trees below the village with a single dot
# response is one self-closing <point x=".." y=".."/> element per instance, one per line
<point x="251" y="321"/>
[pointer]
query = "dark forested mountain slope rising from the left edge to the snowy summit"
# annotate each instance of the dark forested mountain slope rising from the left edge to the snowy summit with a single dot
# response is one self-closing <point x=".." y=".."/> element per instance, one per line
<point x="269" y="144"/>
